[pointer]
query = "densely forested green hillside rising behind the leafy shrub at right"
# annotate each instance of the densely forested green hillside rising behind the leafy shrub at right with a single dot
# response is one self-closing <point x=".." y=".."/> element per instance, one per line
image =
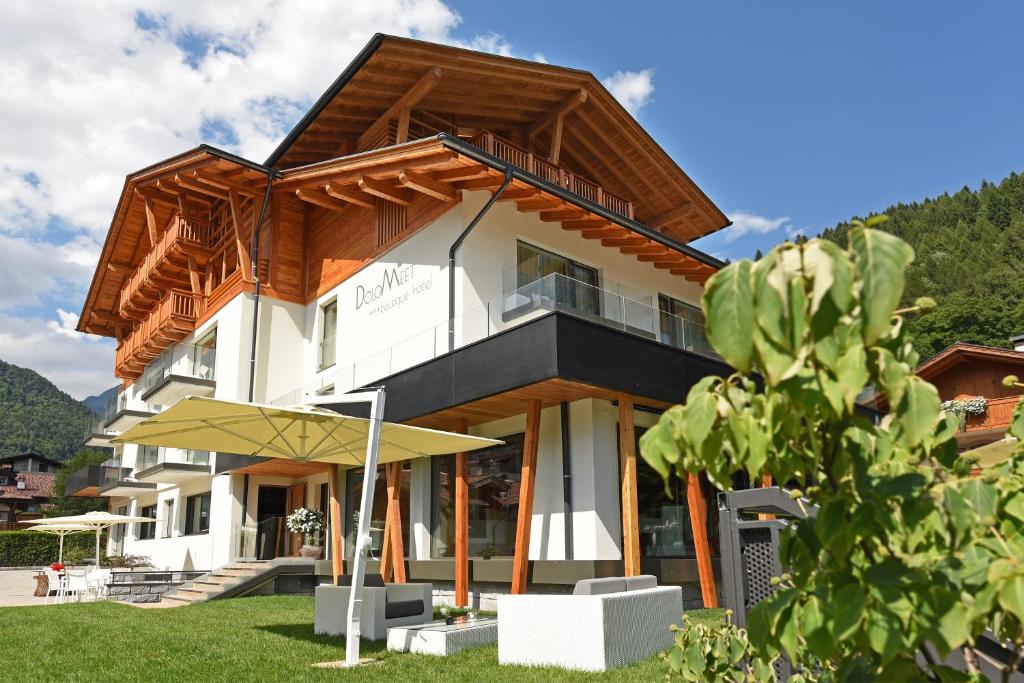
<point x="970" y="259"/>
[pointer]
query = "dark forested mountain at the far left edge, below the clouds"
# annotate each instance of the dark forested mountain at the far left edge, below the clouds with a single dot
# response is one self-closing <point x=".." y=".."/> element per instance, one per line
<point x="37" y="416"/>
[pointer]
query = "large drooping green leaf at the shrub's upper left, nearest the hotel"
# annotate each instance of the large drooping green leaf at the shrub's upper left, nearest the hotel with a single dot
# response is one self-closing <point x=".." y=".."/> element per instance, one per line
<point x="729" y="305"/>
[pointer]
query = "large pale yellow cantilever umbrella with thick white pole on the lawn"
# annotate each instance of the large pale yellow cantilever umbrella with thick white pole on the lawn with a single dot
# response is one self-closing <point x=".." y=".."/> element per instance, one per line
<point x="307" y="434"/>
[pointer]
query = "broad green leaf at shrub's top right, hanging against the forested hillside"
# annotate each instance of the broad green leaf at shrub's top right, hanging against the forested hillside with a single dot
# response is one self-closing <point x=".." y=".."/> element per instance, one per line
<point x="882" y="260"/>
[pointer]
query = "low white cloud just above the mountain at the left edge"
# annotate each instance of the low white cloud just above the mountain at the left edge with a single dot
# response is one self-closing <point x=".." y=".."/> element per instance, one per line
<point x="81" y="368"/>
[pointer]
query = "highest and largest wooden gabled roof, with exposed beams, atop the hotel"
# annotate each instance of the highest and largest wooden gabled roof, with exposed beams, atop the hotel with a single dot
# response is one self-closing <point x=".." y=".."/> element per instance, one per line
<point x="480" y="92"/>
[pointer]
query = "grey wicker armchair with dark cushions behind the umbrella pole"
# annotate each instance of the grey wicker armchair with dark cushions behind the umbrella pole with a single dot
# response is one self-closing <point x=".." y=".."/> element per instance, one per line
<point x="385" y="606"/>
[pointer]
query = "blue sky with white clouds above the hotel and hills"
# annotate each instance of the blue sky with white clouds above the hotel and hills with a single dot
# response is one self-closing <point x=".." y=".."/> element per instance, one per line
<point x="791" y="116"/>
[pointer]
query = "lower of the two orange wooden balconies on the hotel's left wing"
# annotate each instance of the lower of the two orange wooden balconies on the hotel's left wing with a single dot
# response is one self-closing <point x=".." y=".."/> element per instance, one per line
<point x="172" y="321"/>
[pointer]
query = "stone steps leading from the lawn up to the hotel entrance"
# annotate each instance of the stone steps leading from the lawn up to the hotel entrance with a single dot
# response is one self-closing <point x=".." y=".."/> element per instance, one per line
<point x="237" y="579"/>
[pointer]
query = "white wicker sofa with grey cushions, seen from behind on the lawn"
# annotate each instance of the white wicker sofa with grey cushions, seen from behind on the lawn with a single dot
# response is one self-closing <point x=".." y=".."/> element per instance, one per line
<point x="606" y="623"/>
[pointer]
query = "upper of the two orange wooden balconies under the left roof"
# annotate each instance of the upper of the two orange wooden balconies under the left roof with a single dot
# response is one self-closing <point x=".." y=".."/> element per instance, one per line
<point x="187" y="237"/>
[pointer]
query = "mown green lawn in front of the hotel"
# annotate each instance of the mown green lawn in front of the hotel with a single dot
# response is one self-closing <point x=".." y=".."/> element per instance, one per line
<point x="259" y="638"/>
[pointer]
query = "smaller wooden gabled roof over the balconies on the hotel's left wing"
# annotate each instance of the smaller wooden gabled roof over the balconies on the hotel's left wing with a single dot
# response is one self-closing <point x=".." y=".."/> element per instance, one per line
<point x="127" y="240"/>
